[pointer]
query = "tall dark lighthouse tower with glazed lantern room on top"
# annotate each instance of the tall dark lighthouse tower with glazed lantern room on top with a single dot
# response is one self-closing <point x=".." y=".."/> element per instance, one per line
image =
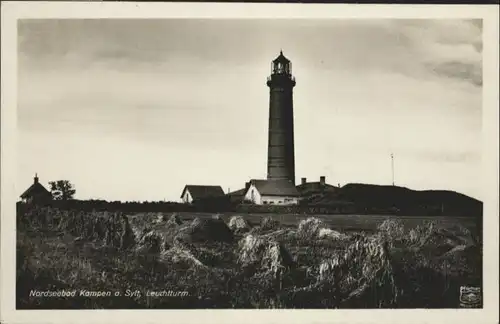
<point x="281" y="153"/>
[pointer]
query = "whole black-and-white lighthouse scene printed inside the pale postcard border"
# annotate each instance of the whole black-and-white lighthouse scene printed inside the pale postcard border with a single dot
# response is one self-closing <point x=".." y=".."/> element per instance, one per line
<point x="225" y="163"/>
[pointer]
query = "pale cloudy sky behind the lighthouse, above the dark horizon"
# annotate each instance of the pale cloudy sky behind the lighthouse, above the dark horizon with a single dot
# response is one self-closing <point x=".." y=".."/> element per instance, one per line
<point x="135" y="109"/>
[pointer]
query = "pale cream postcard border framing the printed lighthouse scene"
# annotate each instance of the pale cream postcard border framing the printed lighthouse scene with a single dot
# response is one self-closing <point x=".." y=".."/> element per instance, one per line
<point x="12" y="11"/>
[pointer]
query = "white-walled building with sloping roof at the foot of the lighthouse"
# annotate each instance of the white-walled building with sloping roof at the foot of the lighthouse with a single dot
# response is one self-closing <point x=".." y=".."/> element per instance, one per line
<point x="273" y="192"/>
